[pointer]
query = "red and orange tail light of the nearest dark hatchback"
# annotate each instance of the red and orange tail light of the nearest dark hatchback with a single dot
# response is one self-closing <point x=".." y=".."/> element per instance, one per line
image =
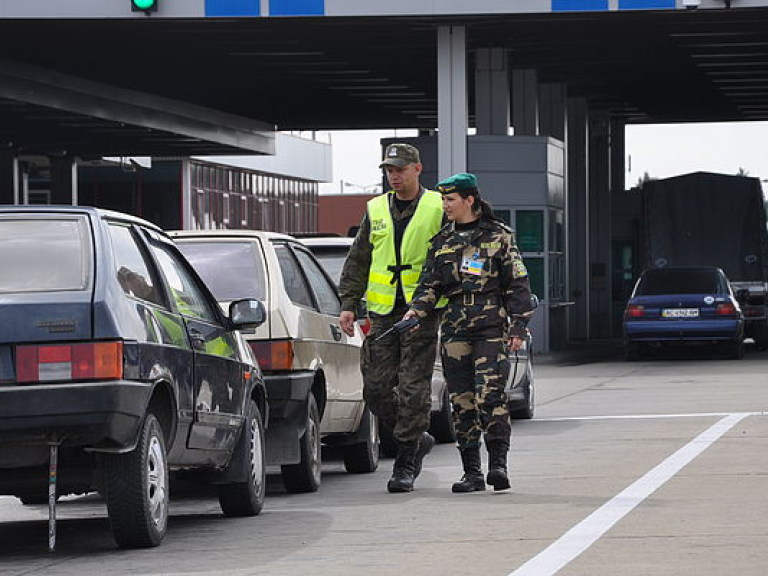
<point x="85" y="361"/>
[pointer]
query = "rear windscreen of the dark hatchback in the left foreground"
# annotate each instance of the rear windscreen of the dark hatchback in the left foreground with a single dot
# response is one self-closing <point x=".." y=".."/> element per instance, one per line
<point x="44" y="254"/>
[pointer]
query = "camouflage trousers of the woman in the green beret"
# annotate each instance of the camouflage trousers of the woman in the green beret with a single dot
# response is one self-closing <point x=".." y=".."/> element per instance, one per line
<point x="475" y="371"/>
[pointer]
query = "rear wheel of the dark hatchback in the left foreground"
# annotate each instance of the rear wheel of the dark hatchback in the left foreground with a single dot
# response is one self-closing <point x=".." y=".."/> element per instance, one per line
<point x="136" y="489"/>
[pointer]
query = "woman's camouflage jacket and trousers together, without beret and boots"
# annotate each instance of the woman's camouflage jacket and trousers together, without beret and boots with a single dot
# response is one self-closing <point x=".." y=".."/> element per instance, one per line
<point x="481" y="272"/>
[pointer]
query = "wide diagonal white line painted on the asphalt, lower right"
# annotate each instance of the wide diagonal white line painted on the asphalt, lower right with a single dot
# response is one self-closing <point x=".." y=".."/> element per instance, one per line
<point x="588" y="531"/>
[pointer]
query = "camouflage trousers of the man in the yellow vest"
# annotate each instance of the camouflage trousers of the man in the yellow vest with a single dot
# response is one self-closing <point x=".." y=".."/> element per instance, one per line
<point x="397" y="375"/>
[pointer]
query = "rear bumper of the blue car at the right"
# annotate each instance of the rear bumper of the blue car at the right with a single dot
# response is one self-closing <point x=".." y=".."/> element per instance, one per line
<point x="680" y="330"/>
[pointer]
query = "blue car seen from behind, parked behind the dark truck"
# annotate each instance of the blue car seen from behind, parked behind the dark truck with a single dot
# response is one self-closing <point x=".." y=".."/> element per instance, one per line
<point x="683" y="305"/>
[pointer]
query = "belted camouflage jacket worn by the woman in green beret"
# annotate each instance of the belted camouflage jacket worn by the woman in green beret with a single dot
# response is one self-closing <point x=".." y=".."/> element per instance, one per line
<point x="481" y="273"/>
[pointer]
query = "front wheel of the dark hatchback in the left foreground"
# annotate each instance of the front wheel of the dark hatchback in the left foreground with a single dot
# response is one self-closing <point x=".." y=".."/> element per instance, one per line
<point x="247" y="498"/>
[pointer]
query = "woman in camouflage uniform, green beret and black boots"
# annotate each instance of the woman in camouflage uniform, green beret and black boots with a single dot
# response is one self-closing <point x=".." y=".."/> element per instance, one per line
<point x="474" y="262"/>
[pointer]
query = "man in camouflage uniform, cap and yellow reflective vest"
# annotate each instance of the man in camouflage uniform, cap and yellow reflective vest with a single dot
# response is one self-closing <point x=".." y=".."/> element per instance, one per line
<point x="384" y="265"/>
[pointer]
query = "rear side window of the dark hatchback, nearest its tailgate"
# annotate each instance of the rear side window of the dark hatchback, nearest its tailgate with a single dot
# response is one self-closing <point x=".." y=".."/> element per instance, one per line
<point x="131" y="267"/>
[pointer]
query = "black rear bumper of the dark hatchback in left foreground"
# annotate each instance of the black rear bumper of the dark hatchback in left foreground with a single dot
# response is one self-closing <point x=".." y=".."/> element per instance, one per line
<point x="97" y="415"/>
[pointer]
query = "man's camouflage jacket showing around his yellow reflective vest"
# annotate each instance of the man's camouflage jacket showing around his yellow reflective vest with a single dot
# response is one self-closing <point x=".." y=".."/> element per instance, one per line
<point x="354" y="275"/>
